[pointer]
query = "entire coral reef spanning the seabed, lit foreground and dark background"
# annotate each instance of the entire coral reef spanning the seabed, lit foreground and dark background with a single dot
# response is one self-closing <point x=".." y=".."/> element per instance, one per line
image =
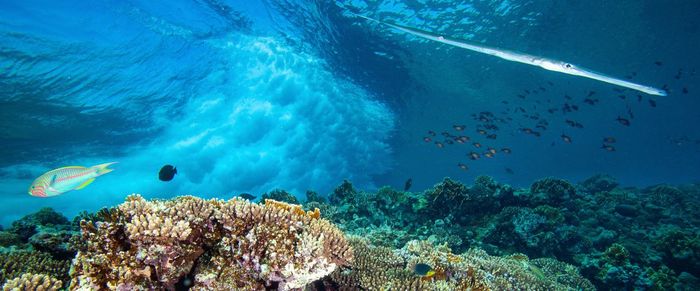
<point x="480" y="237"/>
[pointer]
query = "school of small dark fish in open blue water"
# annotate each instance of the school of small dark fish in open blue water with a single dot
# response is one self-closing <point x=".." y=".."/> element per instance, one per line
<point x="538" y="109"/>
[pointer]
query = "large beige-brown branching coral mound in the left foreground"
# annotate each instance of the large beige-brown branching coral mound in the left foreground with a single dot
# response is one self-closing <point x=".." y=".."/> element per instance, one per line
<point x="207" y="245"/>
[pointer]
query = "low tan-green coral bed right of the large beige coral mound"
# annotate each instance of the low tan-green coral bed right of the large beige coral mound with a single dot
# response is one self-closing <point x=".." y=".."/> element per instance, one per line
<point x="380" y="268"/>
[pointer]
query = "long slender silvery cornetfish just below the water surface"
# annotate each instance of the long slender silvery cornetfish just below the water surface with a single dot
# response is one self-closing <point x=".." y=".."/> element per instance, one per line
<point x="547" y="64"/>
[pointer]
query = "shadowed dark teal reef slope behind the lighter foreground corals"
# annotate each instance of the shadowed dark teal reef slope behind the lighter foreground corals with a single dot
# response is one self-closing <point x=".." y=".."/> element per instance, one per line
<point x="620" y="238"/>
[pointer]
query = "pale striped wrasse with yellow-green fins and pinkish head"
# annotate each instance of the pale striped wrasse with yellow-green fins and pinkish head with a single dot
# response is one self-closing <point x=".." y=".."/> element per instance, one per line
<point x="62" y="180"/>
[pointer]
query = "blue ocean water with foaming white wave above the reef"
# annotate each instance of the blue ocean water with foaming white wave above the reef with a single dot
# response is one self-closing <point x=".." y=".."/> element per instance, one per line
<point x="249" y="96"/>
